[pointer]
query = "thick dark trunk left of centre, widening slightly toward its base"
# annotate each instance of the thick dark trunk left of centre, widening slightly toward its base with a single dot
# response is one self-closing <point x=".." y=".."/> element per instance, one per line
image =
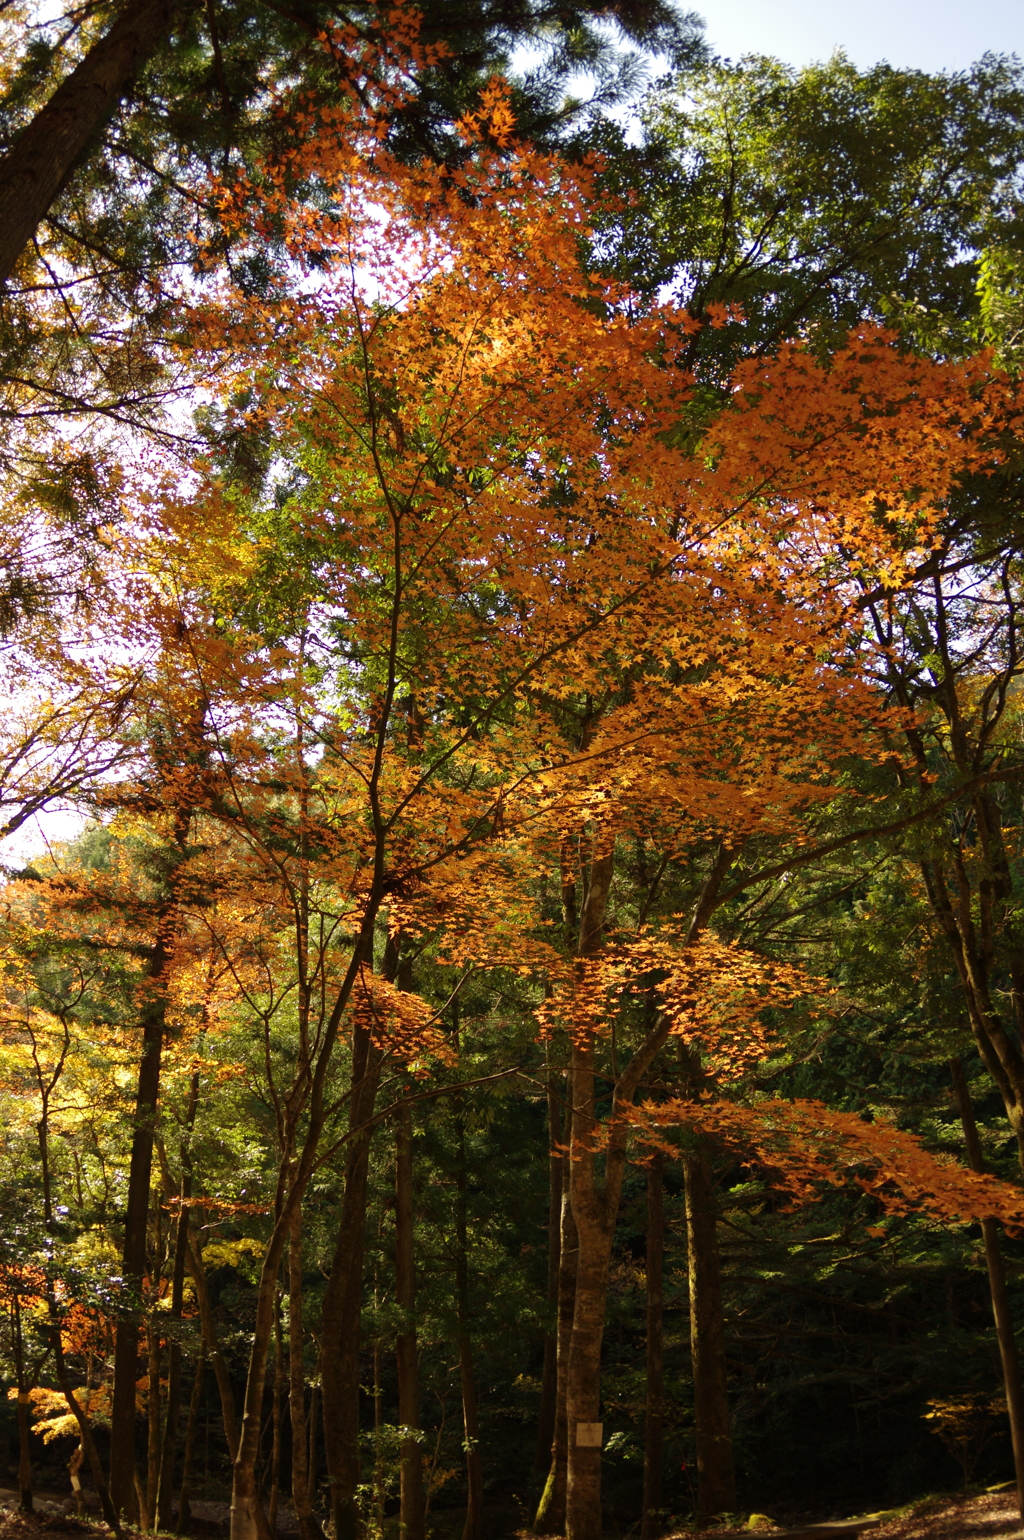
<point x="343" y="1304"/>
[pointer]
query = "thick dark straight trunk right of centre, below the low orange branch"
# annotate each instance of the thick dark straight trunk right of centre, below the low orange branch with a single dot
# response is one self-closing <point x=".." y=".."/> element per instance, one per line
<point x="717" y="1482"/>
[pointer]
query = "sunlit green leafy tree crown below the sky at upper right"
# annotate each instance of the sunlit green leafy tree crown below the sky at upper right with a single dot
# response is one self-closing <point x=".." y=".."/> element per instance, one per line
<point x="817" y="199"/>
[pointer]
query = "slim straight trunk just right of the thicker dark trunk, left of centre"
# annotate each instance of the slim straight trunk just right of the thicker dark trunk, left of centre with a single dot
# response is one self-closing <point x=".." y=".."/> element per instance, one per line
<point x="412" y="1479"/>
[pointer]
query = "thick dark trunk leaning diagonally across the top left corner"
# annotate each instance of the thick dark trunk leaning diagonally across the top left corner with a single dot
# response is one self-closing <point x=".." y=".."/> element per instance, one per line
<point x="44" y="155"/>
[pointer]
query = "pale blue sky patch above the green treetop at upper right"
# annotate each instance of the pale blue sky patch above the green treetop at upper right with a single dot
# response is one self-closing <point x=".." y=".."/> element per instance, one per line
<point x="912" y="35"/>
